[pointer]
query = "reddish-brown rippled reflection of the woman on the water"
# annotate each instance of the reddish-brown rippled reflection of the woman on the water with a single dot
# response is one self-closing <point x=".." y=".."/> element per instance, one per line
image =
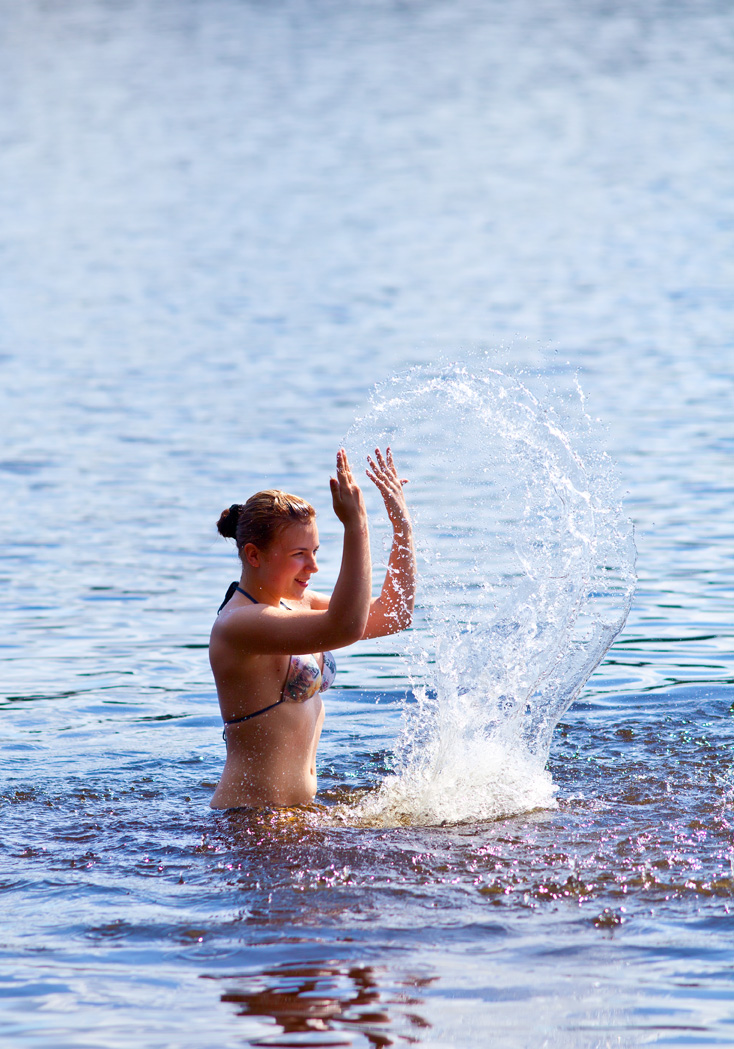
<point x="330" y="1004"/>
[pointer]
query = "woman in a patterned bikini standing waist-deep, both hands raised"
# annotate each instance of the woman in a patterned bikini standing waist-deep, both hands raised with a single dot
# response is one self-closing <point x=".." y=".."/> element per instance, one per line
<point x="270" y="698"/>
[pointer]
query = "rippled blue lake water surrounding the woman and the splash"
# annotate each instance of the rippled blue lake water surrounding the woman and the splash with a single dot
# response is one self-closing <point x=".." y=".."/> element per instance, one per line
<point x="221" y="225"/>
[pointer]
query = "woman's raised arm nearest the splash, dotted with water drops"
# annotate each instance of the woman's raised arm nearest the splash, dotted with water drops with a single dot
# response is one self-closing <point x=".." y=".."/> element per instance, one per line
<point x="394" y="610"/>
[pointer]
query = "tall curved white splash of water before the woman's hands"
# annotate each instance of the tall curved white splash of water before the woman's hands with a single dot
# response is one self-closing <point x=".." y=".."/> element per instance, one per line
<point x="527" y="570"/>
